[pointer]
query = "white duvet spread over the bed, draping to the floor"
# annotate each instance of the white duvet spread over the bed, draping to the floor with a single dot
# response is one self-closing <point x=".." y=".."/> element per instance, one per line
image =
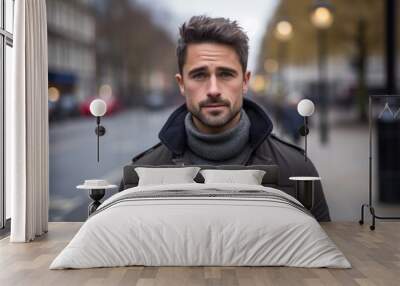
<point x="182" y="231"/>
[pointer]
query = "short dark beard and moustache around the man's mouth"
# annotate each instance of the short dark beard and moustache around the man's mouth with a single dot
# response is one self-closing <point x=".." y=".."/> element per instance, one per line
<point x="214" y="118"/>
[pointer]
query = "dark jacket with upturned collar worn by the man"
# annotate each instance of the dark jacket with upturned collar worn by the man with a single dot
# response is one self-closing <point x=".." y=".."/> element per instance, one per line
<point x="266" y="149"/>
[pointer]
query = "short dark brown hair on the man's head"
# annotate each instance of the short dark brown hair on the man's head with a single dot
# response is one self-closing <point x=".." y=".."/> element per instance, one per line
<point x="203" y="29"/>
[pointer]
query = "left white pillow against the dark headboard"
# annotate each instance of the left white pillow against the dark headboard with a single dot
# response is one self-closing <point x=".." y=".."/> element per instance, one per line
<point x="162" y="176"/>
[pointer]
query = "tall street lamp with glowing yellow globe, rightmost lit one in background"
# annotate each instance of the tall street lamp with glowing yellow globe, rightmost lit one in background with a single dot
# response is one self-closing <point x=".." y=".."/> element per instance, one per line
<point x="322" y="18"/>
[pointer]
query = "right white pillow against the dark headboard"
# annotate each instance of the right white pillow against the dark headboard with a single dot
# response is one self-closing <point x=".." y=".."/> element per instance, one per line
<point x="248" y="177"/>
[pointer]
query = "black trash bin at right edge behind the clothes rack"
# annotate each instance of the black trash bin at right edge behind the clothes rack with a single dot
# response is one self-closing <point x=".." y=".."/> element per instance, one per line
<point x="388" y="147"/>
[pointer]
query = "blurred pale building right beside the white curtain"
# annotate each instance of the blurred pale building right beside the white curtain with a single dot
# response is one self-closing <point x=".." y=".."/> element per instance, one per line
<point x="71" y="52"/>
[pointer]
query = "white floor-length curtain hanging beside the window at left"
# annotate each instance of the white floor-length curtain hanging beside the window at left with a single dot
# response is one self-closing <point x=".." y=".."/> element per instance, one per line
<point x="27" y="124"/>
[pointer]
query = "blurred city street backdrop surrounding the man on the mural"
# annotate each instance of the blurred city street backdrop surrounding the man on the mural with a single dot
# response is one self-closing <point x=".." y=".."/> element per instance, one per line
<point x="334" y="52"/>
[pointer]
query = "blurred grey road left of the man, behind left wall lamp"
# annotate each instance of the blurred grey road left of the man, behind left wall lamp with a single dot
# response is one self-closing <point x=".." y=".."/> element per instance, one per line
<point x="73" y="156"/>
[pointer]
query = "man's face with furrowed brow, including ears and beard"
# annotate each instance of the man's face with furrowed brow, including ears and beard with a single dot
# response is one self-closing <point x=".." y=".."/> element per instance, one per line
<point x="213" y="83"/>
